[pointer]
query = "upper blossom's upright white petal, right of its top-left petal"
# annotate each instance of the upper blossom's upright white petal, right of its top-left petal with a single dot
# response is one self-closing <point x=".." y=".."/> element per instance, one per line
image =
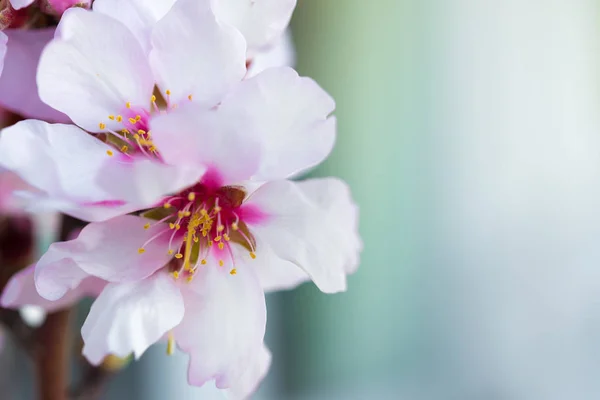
<point x="194" y="55"/>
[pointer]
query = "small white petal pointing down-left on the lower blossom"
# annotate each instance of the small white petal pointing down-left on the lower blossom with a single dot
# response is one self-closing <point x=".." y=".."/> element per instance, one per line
<point x="130" y="317"/>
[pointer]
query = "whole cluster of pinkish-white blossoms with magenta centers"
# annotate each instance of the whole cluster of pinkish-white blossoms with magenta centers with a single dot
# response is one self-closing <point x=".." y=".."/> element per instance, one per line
<point x="176" y="129"/>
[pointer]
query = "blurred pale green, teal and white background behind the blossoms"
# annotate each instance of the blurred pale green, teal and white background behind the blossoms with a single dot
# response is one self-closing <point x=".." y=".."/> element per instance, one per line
<point x="469" y="133"/>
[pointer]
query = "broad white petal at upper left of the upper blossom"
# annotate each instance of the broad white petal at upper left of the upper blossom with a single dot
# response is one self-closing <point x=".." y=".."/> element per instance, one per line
<point x="92" y="68"/>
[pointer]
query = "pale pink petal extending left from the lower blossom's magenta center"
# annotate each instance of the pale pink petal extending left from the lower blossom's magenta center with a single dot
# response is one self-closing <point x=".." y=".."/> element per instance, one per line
<point x="107" y="250"/>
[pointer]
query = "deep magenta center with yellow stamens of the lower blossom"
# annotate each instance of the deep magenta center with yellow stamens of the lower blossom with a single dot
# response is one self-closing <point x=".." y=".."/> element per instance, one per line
<point x="212" y="219"/>
